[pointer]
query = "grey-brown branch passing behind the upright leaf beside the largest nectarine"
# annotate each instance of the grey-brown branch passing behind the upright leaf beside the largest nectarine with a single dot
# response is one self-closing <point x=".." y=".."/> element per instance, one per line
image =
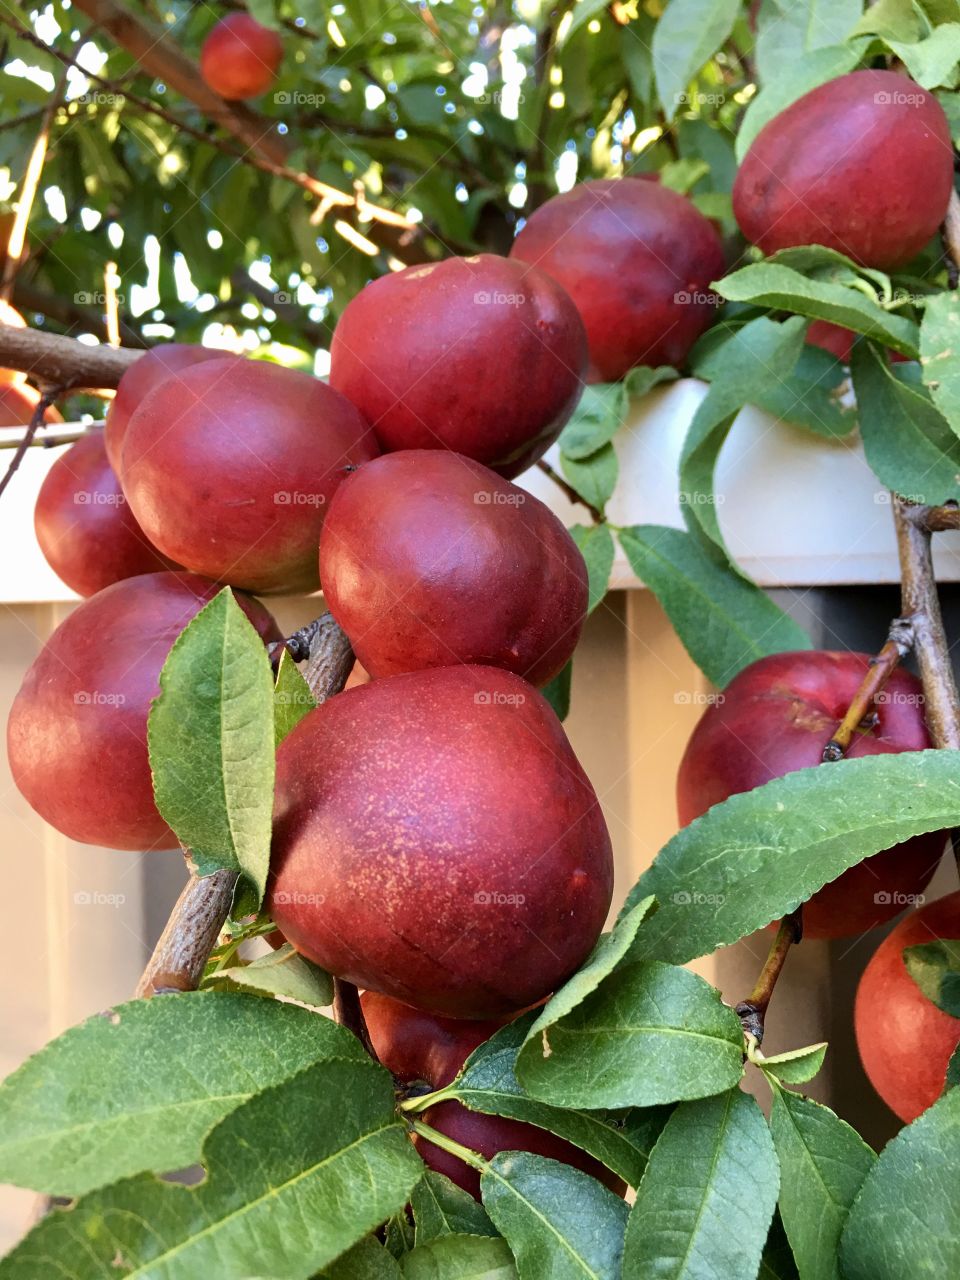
<point x="203" y="908"/>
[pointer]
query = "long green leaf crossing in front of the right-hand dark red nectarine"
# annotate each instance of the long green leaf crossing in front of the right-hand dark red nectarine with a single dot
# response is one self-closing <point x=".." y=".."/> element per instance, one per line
<point x="758" y="856"/>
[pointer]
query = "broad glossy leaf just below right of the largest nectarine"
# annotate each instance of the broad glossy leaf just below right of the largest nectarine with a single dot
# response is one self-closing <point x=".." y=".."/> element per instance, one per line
<point x="651" y="1035"/>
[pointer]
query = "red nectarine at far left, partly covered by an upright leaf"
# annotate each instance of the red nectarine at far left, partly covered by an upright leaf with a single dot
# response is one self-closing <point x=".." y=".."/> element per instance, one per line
<point x="77" y="729"/>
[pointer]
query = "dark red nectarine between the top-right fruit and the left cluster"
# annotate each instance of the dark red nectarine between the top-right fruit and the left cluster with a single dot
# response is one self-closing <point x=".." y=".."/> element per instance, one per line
<point x="638" y="259"/>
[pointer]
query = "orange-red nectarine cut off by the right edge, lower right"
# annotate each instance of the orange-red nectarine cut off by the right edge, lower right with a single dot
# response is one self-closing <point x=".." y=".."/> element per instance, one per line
<point x="906" y="1041"/>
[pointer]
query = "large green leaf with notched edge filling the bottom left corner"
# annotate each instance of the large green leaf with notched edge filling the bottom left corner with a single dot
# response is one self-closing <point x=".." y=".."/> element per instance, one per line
<point x="294" y="1178"/>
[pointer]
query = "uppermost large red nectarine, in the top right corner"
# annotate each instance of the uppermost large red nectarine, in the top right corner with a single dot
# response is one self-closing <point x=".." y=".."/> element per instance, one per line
<point x="863" y="164"/>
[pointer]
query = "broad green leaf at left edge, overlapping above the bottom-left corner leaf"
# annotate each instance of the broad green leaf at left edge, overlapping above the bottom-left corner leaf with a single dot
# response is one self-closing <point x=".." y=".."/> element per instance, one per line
<point x="140" y="1086"/>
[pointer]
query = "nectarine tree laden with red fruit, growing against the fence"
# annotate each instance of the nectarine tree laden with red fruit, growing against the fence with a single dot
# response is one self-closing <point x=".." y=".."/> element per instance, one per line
<point x="459" y="214"/>
